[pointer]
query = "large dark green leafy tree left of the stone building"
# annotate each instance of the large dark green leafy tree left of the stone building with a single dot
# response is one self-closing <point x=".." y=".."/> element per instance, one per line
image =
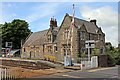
<point x="14" y="32"/>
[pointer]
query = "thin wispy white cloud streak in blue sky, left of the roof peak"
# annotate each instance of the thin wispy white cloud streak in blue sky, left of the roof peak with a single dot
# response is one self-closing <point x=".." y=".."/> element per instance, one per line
<point x="41" y="11"/>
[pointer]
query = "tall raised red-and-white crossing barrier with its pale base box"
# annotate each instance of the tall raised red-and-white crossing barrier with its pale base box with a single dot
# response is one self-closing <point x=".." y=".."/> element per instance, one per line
<point x="69" y="31"/>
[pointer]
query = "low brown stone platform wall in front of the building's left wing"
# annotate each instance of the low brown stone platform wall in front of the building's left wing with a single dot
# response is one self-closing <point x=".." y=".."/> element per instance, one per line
<point x="26" y="64"/>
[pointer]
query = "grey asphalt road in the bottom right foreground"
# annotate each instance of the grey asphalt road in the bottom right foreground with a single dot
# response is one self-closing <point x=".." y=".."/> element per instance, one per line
<point x="111" y="72"/>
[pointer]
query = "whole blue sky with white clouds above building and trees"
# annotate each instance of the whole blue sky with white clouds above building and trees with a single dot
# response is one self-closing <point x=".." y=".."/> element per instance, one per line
<point x="38" y="14"/>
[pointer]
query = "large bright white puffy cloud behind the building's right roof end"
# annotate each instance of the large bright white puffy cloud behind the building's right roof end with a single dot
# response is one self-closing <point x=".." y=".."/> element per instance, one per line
<point x="107" y="18"/>
